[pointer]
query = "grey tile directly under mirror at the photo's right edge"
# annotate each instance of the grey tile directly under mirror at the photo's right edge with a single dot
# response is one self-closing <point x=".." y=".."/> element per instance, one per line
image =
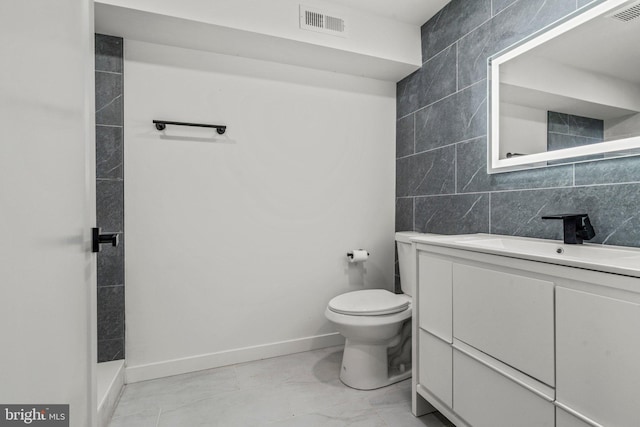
<point x="624" y="169"/>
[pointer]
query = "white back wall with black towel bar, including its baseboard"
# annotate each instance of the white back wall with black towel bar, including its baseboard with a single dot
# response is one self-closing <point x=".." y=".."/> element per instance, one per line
<point x="236" y="243"/>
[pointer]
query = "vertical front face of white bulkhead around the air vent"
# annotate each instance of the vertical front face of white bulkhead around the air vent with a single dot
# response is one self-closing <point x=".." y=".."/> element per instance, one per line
<point x="367" y="33"/>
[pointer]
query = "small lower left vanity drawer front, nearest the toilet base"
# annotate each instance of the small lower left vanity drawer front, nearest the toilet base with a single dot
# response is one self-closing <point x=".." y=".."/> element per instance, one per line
<point x="435" y="372"/>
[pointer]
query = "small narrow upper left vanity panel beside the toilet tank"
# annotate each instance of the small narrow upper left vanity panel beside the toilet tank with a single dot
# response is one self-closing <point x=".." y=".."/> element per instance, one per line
<point x="434" y="295"/>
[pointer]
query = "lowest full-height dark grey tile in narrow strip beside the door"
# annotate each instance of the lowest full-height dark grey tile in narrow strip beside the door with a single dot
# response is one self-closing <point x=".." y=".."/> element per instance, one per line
<point x="110" y="312"/>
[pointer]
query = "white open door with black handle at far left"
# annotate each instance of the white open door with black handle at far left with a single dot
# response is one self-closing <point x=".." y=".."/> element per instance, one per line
<point x="47" y="206"/>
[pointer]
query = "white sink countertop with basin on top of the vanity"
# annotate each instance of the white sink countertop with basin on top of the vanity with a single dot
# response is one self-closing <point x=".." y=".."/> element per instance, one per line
<point x="614" y="259"/>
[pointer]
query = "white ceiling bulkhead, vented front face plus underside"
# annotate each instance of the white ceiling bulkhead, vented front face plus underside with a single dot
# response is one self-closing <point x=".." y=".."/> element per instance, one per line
<point x="375" y="47"/>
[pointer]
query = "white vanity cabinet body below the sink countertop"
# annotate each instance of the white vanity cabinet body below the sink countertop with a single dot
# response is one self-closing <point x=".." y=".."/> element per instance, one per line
<point x="504" y="341"/>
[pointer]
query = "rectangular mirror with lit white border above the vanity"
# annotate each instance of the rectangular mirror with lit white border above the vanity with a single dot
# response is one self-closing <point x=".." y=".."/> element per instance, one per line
<point x="570" y="93"/>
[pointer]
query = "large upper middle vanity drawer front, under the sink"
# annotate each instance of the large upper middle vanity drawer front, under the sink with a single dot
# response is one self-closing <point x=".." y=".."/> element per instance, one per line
<point x="508" y="316"/>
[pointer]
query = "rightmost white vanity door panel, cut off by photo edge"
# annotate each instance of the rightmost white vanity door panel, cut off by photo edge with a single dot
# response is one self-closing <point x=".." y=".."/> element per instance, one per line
<point x="598" y="355"/>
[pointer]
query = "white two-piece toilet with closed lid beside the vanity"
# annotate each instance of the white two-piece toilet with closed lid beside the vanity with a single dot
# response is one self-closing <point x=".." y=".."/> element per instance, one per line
<point x="377" y="326"/>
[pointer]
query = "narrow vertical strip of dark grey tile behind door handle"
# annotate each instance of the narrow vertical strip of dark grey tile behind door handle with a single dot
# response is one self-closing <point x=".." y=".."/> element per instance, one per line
<point x="110" y="194"/>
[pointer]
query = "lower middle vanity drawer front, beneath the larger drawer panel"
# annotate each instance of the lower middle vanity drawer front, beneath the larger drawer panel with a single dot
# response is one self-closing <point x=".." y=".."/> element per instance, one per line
<point x="486" y="398"/>
